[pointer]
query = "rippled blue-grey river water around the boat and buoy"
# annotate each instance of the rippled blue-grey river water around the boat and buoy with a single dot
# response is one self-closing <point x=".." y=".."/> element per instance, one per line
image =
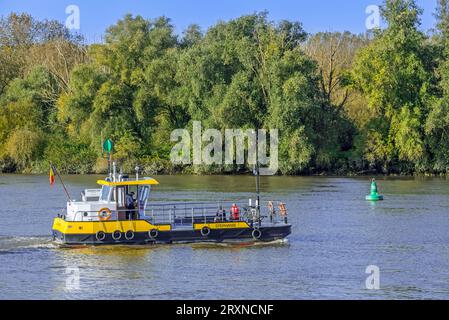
<point x="336" y="235"/>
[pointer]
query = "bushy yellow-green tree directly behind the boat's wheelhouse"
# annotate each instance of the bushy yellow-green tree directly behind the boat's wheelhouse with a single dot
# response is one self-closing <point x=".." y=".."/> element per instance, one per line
<point x="129" y="88"/>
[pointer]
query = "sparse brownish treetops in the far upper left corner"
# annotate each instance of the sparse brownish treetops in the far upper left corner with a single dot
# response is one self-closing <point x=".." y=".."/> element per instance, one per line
<point x="26" y="42"/>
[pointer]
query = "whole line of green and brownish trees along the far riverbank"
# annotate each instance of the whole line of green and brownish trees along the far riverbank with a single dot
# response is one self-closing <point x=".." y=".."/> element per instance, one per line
<point x="343" y="103"/>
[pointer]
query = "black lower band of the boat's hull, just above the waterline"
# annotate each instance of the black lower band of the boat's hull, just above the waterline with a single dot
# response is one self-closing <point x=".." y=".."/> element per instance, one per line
<point x="216" y="235"/>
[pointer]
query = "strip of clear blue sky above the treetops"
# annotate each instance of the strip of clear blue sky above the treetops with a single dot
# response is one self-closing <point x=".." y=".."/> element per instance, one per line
<point x="316" y="15"/>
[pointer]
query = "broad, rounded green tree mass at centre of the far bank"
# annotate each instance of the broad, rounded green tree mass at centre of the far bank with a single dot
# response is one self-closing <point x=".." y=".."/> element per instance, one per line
<point x="253" y="73"/>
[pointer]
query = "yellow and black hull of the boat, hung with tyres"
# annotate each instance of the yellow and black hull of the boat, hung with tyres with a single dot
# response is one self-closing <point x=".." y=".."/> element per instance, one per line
<point x="142" y="231"/>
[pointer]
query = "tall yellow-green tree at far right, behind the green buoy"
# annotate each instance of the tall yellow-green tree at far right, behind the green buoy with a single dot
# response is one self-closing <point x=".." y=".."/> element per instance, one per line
<point x="393" y="73"/>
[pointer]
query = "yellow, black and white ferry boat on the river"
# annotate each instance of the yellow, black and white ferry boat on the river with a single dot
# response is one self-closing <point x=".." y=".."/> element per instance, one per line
<point x="121" y="212"/>
